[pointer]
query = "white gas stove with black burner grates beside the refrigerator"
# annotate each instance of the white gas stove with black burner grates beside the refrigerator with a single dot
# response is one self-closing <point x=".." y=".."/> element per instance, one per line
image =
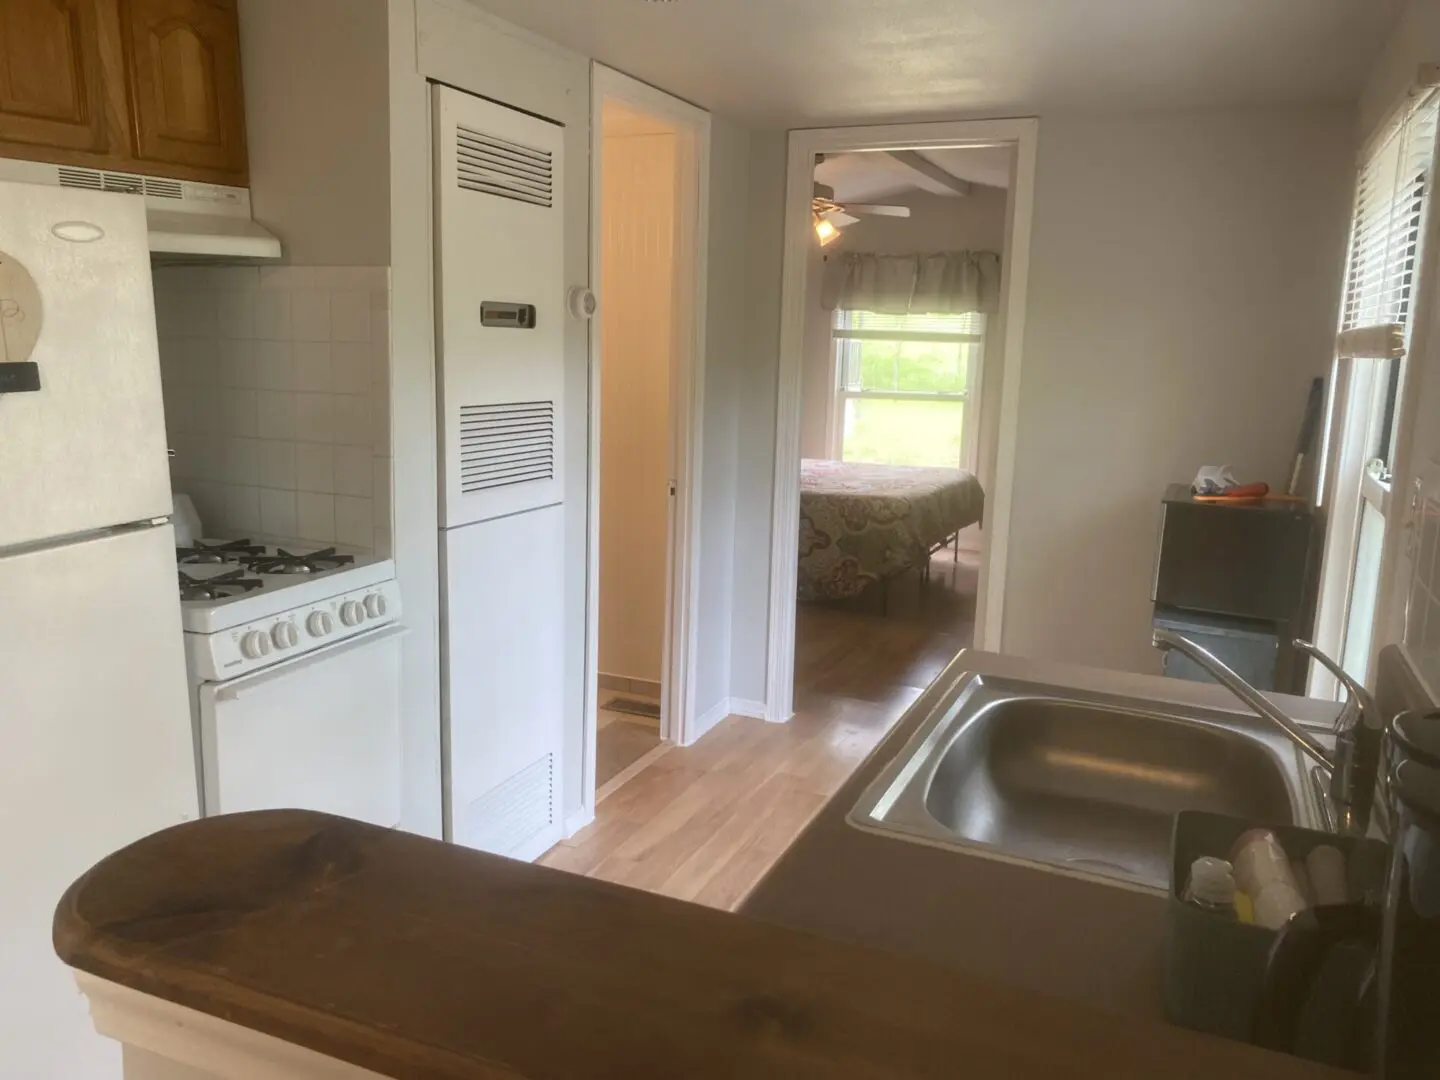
<point x="296" y="679"/>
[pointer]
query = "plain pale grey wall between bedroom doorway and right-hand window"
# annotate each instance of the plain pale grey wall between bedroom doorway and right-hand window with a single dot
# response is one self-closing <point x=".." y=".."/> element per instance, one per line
<point x="1183" y="293"/>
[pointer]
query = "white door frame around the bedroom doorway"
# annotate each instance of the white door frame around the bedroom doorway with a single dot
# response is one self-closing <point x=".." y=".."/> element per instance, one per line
<point x="1023" y="135"/>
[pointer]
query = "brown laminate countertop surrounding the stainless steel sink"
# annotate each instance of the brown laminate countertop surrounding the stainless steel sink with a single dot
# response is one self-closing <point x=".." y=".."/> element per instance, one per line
<point x="1013" y="924"/>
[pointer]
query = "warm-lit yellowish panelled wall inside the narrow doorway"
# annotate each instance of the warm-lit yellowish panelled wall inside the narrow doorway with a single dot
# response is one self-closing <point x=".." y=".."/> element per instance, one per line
<point x="637" y="267"/>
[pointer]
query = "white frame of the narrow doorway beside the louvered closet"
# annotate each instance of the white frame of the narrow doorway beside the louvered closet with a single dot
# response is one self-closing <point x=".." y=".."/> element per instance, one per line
<point x="688" y="404"/>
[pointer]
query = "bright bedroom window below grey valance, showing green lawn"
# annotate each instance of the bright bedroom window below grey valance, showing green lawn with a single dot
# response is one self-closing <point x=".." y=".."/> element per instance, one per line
<point x="906" y="388"/>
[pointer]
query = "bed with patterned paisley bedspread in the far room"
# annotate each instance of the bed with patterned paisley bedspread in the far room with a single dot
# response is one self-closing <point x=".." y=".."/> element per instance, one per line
<point x="866" y="525"/>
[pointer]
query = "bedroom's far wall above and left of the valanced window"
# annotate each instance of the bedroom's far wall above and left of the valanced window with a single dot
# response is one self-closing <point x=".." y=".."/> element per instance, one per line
<point x="938" y="224"/>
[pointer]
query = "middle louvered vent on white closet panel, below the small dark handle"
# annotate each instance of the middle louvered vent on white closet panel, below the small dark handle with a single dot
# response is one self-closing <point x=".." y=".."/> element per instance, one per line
<point x="506" y="444"/>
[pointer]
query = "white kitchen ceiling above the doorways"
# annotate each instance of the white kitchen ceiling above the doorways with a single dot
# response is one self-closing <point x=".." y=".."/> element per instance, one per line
<point x="796" y="63"/>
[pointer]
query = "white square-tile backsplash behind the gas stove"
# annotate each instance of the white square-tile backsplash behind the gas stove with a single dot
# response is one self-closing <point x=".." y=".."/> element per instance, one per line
<point x="277" y="400"/>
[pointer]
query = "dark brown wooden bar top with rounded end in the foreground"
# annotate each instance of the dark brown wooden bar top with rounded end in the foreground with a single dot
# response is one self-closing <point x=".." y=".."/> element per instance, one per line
<point x="426" y="961"/>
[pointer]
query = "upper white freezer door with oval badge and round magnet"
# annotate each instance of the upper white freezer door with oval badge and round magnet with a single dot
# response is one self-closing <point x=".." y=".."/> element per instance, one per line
<point x="89" y="449"/>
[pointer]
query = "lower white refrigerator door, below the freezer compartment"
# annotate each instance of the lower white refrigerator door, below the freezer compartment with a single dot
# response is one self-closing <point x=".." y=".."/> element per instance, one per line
<point x="96" y="752"/>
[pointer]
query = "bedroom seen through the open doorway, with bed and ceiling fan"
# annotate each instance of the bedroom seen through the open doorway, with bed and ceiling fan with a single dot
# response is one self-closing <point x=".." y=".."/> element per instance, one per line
<point x="901" y="313"/>
